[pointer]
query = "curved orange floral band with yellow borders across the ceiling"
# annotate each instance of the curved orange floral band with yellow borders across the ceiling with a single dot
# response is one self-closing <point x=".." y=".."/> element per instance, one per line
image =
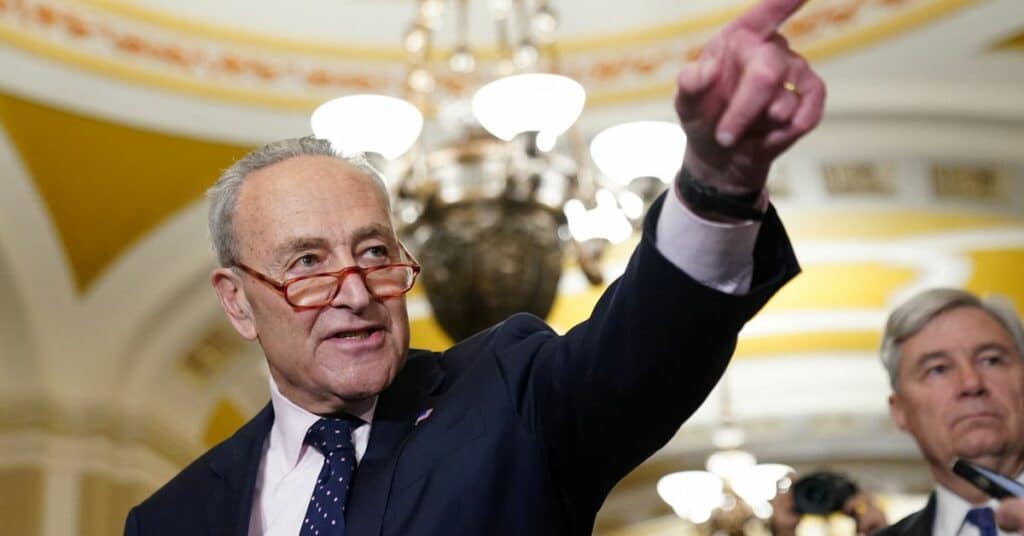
<point x="287" y="75"/>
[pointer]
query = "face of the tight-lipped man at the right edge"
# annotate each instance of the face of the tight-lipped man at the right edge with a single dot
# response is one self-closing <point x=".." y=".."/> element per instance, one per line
<point x="961" y="391"/>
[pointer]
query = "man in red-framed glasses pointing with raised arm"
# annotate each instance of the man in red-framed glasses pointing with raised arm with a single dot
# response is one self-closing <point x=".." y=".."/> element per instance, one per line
<point x="518" y="430"/>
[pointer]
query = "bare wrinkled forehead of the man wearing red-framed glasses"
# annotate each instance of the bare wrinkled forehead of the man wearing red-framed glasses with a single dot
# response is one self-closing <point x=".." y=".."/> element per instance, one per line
<point x="307" y="196"/>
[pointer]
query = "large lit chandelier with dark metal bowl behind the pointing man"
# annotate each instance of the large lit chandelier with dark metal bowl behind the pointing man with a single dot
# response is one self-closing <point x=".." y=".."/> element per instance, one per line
<point x="497" y="188"/>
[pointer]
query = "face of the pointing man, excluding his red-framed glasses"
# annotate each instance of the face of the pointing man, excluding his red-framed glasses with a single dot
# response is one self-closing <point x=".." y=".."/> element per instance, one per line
<point x="305" y="216"/>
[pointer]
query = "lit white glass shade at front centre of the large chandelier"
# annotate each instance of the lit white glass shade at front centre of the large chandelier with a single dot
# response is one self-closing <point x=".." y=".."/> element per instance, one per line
<point x="530" y="103"/>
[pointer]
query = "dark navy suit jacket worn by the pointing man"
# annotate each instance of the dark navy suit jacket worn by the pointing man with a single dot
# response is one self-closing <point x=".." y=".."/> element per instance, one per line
<point x="530" y="431"/>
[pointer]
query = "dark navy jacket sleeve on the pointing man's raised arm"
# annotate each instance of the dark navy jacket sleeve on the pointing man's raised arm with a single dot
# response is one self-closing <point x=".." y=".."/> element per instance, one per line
<point x="615" y="389"/>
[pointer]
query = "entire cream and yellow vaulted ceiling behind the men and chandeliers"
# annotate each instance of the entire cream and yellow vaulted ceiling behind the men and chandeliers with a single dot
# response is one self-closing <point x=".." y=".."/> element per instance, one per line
<point x="116" y="115"/>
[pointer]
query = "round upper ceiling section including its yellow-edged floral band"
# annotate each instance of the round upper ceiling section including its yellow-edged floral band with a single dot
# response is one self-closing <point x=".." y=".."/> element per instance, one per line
<point x="275" y="57"/>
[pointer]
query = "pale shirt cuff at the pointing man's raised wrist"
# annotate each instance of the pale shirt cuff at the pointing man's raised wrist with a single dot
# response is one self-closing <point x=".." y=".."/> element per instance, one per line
<point x="719" y="256"/>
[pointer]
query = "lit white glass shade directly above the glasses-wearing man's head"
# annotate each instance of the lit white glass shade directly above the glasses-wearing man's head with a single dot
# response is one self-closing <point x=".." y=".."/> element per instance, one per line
<point x="368" y="123"/>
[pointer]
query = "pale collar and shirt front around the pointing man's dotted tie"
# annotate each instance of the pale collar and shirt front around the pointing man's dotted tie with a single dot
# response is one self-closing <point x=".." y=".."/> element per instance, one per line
<point x="289" y="468"/>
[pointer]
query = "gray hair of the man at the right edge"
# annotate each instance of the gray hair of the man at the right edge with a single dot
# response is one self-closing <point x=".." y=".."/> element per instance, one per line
<point x="916" y="313"/>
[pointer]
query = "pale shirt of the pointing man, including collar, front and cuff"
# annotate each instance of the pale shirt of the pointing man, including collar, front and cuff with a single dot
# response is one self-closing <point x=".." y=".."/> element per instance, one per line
<point x="720" y="256"/>
